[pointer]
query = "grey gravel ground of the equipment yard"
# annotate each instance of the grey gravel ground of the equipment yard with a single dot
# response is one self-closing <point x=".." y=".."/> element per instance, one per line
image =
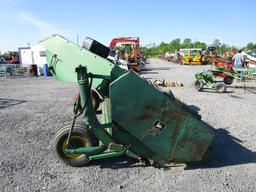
<point x="33" y="109"/>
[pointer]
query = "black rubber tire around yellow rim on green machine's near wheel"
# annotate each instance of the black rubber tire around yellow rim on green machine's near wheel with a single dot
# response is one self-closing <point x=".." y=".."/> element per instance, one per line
<point x="60" y="138"/>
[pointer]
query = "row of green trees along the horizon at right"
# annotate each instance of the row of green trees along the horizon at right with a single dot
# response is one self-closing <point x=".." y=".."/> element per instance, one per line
<point x="152" y="50"/>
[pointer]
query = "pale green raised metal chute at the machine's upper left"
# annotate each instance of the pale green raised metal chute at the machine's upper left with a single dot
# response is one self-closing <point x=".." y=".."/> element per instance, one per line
<point x="63" y="56"/>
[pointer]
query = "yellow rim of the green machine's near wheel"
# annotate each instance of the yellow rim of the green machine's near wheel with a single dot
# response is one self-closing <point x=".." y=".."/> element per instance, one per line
<point x="76" y="141"/>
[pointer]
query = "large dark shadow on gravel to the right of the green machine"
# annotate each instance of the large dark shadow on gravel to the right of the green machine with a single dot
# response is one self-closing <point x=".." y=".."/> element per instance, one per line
<point x="227" y="150"/>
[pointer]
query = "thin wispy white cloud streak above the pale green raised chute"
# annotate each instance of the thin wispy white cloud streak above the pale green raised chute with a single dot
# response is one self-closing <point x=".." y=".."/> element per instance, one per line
<point x="44" y="27"/>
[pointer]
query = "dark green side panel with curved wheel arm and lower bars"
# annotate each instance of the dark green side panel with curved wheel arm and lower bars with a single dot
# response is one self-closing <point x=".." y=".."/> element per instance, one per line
<point x="185" y="138"/>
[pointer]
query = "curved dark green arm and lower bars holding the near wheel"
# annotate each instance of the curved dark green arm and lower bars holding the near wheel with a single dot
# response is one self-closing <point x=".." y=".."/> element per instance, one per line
<point x="90" y="118"/>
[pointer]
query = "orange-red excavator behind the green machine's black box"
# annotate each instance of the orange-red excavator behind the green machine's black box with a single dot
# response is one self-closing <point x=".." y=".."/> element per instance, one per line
<point x="129" y="48"/>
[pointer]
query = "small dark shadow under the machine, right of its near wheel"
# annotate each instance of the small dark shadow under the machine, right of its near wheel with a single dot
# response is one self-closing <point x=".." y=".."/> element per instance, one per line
<point x="117" y="163"/>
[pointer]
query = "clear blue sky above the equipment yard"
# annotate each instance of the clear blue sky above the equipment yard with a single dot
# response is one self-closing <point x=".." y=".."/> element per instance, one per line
<point x="29" y="21"/>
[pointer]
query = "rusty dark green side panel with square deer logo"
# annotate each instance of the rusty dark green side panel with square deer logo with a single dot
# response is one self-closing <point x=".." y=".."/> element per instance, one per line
<point x="159" y="122"/>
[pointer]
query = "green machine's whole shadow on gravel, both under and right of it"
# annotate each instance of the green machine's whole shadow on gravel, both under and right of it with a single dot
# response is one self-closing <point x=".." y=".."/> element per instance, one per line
<point x="226" y="151"/>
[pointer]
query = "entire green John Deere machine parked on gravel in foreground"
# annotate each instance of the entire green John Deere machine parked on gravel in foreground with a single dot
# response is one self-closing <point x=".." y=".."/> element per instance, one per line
<point x="137" y="119"/>
